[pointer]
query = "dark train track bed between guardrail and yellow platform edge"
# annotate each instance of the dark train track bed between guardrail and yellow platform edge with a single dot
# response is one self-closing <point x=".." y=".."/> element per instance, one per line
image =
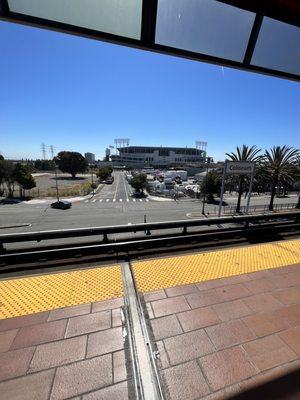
<point x="70" y="255"/>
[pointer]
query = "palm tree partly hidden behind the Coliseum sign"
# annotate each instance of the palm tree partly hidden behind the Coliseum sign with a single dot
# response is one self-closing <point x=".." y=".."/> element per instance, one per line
<point x="244" y="153"/>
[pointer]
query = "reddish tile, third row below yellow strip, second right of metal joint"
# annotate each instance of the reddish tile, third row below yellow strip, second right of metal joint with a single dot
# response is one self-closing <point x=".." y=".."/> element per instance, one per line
<point x="198" y="318"/>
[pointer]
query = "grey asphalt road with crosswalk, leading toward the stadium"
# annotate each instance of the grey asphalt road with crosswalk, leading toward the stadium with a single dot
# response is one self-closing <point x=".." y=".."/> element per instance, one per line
<point x="112" y="205"/>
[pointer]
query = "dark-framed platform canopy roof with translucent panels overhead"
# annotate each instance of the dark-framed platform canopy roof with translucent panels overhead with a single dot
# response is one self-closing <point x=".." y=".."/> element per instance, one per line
<point x="254" y="35"/>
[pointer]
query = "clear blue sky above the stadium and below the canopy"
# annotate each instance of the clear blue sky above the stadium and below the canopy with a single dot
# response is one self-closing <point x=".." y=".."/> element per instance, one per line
<point x="79" y="94"/>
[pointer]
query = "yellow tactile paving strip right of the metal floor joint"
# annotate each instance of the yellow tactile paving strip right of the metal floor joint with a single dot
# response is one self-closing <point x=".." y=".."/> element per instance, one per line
<point x="174" y="271"/>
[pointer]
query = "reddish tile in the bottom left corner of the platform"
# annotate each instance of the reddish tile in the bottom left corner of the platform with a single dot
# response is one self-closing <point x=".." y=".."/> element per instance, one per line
<point x="30" y="387"/>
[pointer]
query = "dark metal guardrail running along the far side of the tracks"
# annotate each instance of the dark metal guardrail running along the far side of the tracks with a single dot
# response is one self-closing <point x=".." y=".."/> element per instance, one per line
<point x="146" y="227"/>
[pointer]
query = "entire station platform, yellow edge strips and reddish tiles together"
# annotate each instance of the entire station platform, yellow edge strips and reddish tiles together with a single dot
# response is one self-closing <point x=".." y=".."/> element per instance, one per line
<point x="225" y="324"/>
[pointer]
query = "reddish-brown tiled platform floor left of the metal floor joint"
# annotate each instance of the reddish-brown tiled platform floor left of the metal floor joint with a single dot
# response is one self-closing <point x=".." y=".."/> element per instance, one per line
<point x="68" y="353"/>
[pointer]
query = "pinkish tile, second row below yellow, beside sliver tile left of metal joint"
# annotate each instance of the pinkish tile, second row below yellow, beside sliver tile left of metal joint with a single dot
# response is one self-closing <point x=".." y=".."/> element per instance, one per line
<point x="88" y="323"/>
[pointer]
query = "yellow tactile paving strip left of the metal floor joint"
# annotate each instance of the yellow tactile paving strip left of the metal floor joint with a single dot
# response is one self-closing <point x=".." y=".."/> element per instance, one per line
<point x="47" y="292"/>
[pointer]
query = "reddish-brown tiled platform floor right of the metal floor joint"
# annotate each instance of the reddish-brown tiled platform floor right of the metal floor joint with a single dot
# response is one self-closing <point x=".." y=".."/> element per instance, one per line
<point x="220" y="337"/>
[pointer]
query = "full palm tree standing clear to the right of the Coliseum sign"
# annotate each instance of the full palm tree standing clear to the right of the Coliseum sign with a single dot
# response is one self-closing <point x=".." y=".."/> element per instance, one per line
<point x="280" y="166"/>
